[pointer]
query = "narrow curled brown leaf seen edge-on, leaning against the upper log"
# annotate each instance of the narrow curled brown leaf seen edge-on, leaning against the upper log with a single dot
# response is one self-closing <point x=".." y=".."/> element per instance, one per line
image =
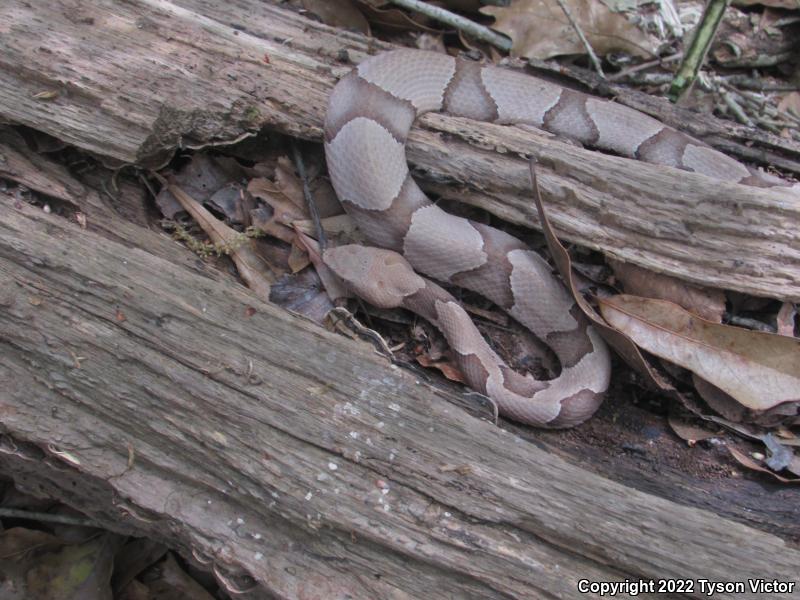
<point x="620" y="342"/>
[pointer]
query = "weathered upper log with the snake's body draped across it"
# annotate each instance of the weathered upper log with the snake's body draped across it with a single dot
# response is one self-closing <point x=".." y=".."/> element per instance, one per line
<point x="133" y="81"/>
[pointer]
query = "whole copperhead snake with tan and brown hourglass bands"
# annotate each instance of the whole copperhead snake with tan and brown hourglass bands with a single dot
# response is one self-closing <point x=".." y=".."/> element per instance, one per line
<point x="370" y="113"/>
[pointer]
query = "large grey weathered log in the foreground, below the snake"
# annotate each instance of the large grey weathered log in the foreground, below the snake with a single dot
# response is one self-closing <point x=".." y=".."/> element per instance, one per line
<point x="132" y="391"/>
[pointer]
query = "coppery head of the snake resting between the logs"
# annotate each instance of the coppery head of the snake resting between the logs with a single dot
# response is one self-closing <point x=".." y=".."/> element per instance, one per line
<point x="381" y="277"/>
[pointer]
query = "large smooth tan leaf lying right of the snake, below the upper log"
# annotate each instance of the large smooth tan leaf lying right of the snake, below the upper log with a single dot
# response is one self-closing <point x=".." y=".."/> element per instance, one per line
<point x="760" y="370"/>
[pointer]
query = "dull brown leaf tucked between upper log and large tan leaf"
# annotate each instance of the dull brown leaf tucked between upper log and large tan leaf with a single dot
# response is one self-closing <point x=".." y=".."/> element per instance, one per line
<point x="704" y="302"/>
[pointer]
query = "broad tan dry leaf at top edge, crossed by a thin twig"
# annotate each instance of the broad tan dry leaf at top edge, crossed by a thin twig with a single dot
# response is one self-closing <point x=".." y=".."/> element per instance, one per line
<point x="540" y="29"/>
